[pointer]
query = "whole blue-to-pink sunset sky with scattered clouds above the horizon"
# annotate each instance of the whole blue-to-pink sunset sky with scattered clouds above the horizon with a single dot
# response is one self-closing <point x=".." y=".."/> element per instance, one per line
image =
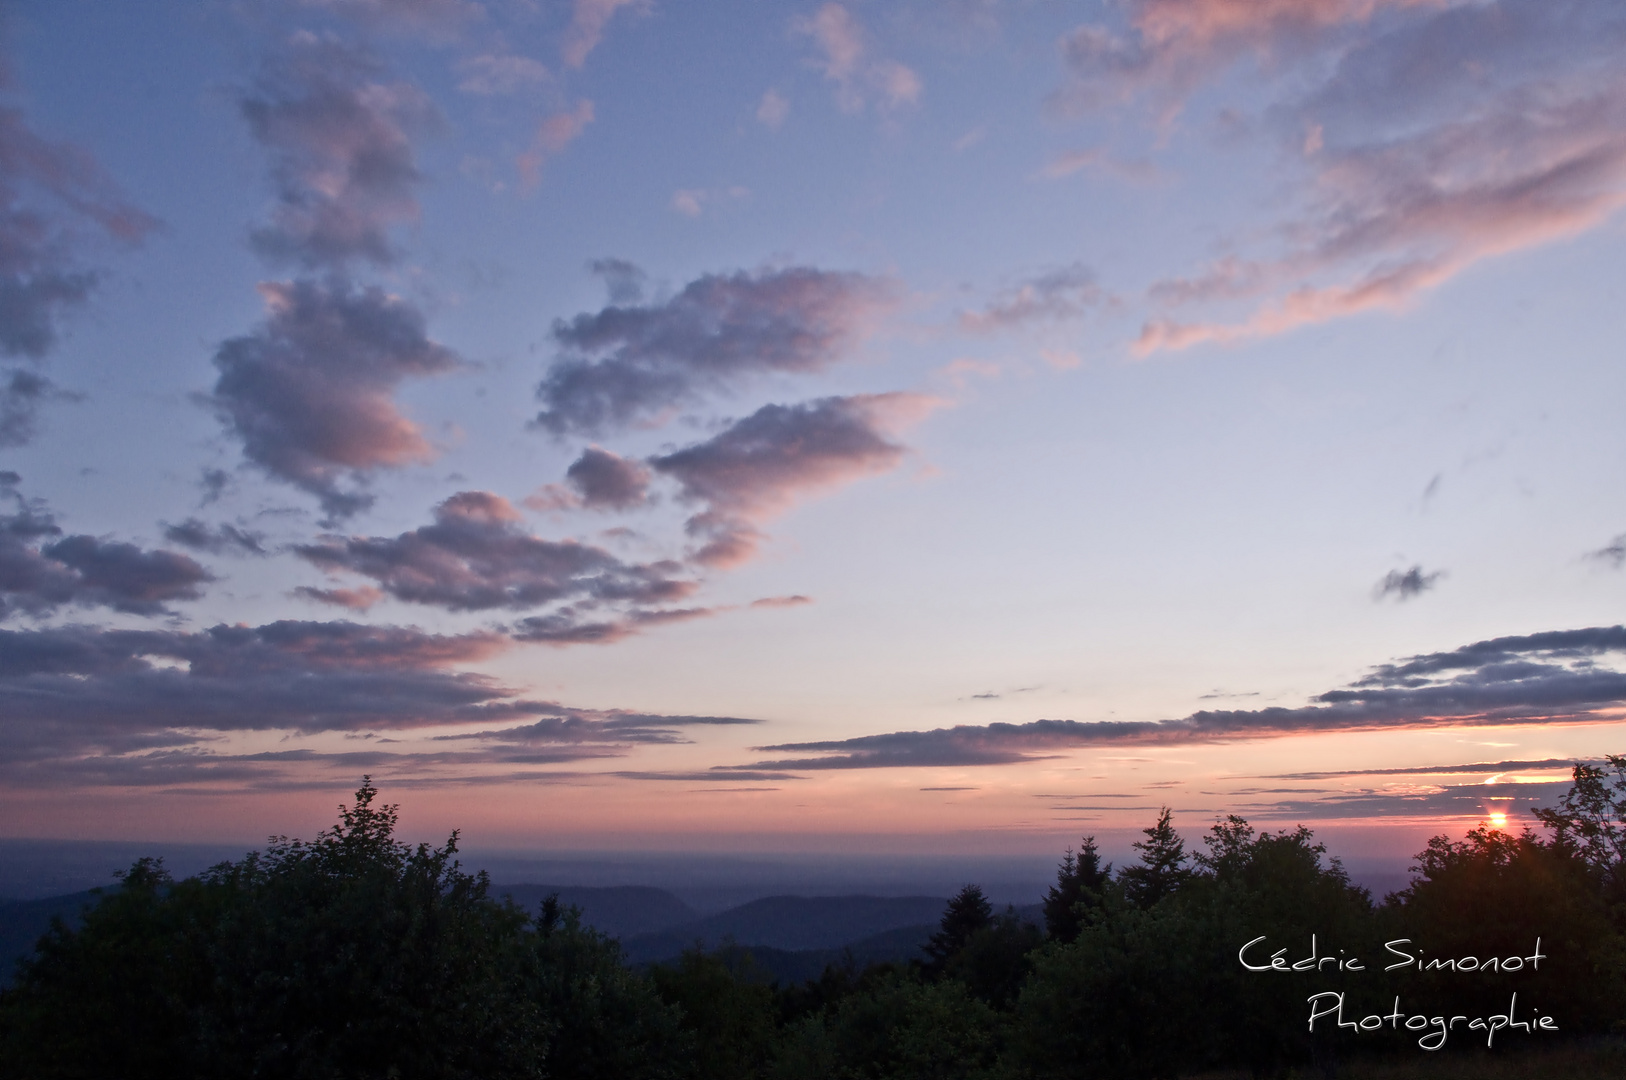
<point x="952" y="427"/>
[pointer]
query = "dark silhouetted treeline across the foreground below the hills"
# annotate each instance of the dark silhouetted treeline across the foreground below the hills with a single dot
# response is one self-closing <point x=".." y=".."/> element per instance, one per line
<point x="355" y="956"/>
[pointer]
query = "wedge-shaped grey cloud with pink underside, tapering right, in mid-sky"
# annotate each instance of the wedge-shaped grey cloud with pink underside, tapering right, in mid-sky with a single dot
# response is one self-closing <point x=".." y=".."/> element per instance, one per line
<point x="760" y="466"/>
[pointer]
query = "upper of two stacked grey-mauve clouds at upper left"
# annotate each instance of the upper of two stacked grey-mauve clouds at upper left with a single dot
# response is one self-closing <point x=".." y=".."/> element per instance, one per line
<point x="342" y="155"/>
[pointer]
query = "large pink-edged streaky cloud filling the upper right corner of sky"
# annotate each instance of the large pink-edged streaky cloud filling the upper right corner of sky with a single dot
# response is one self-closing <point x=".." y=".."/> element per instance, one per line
<point x="1511" y="137"/>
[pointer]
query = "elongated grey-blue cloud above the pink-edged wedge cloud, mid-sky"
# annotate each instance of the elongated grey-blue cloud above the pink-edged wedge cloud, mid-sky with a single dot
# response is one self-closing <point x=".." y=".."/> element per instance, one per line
<point x="633" y="362"/>
